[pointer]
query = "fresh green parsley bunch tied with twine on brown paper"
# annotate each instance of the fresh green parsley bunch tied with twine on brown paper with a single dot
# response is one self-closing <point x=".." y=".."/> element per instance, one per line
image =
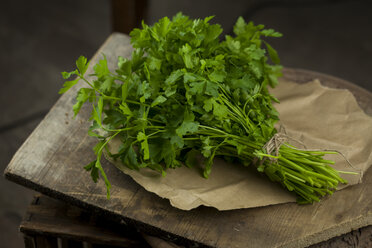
<point x="185" y="93"/>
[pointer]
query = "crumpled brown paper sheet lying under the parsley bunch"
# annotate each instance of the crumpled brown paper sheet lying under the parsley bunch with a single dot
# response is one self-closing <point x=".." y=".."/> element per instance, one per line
<point x="318" y="116"/>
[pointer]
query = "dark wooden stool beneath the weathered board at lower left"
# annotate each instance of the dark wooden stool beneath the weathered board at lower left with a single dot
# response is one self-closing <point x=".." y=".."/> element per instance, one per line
<point x="52" y="223"/>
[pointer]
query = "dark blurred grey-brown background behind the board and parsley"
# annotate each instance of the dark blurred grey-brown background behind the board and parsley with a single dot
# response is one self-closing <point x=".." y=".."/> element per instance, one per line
<point x="40" y="38"/>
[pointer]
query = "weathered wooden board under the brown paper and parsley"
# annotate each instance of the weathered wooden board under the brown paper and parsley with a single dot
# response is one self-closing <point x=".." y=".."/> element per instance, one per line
<point x="51" y="160"/>
